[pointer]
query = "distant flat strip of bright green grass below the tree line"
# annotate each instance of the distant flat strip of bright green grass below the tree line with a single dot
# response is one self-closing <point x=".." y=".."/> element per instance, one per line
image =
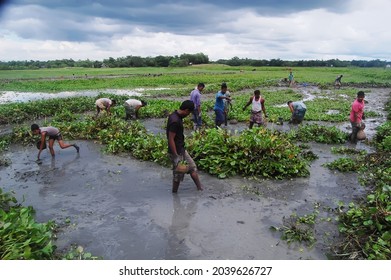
<point x="238" y="78"/>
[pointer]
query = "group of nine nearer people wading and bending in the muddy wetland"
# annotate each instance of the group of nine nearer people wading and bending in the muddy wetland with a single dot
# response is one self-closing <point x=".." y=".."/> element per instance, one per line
<point x="175" y="130"/>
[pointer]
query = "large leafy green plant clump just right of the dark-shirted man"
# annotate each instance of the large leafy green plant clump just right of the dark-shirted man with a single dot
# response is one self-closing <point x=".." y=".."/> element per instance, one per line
<point x="256" y="152"/>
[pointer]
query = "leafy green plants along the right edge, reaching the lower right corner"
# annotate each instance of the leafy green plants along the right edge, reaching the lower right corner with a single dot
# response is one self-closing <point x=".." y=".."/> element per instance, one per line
<point x="366" y="225"/>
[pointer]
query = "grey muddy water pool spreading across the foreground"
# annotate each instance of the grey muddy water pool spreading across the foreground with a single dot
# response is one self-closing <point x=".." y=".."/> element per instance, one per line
<point x="121" y="208"/>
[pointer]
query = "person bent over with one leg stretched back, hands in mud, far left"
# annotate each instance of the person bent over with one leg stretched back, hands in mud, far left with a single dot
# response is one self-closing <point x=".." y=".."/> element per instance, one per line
<point x="54" y="134"/>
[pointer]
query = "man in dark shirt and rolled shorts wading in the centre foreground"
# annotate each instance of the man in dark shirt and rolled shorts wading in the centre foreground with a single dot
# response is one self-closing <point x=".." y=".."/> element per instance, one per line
<point x="176" y="145"/>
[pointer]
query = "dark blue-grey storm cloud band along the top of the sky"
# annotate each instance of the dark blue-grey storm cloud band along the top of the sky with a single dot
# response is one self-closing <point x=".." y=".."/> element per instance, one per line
<point x="75" y="20"/>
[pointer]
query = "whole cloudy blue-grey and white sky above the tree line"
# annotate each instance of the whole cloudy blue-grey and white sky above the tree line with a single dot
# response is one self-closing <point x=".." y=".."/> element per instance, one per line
<point x="263" y="29"/>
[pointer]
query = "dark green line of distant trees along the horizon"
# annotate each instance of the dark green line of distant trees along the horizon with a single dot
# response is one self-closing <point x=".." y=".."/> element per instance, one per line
<point x="182" y="61"/>
